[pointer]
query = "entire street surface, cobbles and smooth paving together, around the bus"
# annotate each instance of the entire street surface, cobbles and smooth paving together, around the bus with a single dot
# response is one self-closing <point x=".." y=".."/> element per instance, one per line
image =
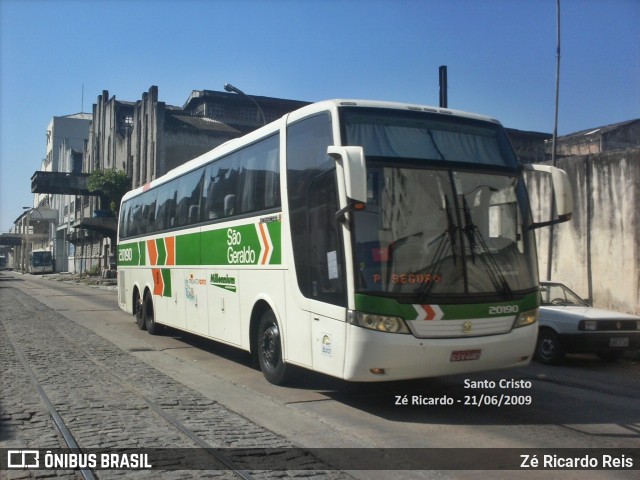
<point x="116" y="386"/>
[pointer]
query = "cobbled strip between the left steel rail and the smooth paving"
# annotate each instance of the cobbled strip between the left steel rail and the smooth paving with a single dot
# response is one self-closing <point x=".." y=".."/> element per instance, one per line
<point x="103" y="398"/>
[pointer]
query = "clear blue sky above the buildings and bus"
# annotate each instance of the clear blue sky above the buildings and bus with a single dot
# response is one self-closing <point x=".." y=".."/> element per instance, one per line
<point x="57" y="56"/>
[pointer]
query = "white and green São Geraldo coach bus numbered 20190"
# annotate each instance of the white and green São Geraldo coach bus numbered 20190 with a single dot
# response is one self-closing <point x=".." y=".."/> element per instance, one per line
<point x="365" y="240"/>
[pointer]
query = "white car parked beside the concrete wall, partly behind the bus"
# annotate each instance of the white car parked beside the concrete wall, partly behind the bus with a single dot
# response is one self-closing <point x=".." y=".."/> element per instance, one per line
<point x="568" y="324"/>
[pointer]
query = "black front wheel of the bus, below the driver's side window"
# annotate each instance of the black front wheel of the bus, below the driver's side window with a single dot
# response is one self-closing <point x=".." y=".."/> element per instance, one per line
<point x="269" y="347"/>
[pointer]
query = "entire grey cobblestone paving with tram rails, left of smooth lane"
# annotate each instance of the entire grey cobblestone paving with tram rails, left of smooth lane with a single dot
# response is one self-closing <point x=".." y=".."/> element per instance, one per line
<point x="104" y="396"/>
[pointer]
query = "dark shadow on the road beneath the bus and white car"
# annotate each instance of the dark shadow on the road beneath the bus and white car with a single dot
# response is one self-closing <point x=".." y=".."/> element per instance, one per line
<point x="550" y="395"/>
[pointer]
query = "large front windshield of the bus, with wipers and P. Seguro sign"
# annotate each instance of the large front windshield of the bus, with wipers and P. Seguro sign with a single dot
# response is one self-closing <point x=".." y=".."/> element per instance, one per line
<point x="445" y="216"/>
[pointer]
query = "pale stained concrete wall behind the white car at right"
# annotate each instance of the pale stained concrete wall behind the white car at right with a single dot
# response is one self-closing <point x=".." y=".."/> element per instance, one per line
<point x="597" y="253"/>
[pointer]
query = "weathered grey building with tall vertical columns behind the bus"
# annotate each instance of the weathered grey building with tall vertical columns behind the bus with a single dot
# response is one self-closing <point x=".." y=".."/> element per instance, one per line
<point x="145" y="139"/>
